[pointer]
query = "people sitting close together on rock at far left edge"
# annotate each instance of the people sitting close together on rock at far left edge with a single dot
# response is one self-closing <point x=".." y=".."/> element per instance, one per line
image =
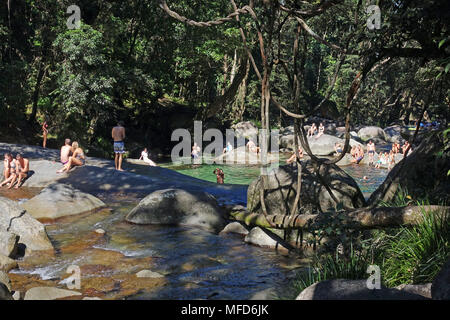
<point x="15" y="170"/>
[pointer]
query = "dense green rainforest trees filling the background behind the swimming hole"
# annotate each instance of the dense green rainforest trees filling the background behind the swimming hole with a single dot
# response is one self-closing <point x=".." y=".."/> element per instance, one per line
<point x="131" y="61"/>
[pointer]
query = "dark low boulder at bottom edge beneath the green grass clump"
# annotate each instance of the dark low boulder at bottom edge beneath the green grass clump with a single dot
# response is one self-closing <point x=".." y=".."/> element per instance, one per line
<point x="342" y="289"/>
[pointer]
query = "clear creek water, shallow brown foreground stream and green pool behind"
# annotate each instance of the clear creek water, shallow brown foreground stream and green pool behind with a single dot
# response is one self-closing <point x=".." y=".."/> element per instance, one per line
<point x="196" y="264"/>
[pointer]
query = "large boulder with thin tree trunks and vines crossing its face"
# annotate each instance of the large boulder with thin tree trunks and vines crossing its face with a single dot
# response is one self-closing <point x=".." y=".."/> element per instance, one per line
<point x="281" y="188"/>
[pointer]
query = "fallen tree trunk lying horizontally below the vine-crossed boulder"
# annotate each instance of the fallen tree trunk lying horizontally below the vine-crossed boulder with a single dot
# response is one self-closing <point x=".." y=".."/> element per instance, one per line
<point x="365" y="218"/>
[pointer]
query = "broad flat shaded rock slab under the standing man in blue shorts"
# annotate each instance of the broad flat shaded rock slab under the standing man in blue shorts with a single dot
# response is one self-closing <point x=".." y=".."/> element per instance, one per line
<point x="99" y="177"/>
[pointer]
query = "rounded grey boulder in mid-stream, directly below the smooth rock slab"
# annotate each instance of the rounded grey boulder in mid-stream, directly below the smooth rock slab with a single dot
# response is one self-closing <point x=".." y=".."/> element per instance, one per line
<point x="179" y="207"/>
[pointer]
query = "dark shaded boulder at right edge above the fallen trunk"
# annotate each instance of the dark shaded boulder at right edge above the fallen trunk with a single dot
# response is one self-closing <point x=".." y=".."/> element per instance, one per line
<point x="424" y="172"/>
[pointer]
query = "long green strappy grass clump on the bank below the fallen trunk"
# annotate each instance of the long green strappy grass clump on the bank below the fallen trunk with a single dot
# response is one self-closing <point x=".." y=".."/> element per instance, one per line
<point x="405" y="256"/>
